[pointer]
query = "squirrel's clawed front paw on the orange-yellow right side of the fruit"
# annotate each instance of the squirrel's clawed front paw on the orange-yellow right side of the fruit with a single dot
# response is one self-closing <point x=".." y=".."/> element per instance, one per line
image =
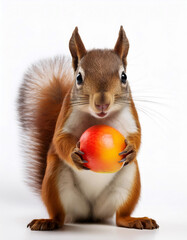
<point x="129" y="153"/>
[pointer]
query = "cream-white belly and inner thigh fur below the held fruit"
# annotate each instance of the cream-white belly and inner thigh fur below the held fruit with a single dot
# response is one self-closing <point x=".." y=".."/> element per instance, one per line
<point x="88" y="195"/>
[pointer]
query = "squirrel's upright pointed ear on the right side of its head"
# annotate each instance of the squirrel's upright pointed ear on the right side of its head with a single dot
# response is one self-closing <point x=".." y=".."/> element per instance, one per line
<point x="122" y="45"/>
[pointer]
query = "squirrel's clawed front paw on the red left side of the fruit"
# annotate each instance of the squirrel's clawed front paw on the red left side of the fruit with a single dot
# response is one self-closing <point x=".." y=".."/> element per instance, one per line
<point x="76" y="156"/>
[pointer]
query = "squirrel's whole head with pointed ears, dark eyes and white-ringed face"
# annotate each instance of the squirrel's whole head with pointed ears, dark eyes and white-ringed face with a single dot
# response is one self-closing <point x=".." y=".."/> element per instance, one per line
<point x="101" y="85"/>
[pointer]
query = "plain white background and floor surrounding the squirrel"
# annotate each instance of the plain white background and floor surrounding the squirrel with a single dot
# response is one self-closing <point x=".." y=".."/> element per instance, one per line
<point x="157" y="31"/>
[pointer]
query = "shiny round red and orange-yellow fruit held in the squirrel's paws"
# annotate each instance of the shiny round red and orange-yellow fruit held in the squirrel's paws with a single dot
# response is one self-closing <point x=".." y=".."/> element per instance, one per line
<point x="101" y="145"/>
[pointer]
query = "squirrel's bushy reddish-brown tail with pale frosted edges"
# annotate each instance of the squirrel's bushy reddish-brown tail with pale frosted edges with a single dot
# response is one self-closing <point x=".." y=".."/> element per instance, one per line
<point x="40" y="98"/>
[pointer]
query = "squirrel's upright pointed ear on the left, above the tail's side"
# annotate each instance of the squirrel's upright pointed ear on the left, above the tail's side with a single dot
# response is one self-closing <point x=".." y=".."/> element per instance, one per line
<point x="76" y="48"/>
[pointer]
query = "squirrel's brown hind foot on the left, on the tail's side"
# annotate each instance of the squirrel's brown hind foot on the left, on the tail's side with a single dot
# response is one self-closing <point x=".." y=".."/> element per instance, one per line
<point x="44" y="224"/>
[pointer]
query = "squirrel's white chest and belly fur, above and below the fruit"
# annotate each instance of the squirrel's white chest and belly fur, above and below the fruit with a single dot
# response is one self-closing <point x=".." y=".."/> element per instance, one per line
<point x="85" y="193"/>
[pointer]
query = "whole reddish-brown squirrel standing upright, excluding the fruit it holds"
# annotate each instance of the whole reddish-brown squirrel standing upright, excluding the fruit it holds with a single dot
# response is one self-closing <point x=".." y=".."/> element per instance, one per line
<point x="57" y="102"/>
